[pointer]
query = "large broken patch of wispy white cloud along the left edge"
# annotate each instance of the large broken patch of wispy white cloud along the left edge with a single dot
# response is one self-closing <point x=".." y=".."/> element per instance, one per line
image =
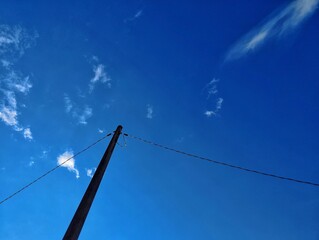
<point x="14" y="40"/>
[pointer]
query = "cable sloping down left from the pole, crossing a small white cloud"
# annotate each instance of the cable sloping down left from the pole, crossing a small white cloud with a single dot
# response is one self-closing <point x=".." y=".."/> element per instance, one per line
<point x="53" y="169"/>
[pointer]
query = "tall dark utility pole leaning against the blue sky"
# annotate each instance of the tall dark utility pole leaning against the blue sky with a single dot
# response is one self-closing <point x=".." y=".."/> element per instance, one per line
<point x="83" y="209"/>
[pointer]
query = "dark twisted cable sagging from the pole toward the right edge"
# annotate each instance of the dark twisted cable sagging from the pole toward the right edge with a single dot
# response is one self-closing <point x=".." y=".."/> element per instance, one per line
<point x="223" y="163"/>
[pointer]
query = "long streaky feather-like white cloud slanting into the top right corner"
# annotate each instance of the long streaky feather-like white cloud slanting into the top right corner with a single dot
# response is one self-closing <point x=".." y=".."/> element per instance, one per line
<point x="279" y="23"/>
